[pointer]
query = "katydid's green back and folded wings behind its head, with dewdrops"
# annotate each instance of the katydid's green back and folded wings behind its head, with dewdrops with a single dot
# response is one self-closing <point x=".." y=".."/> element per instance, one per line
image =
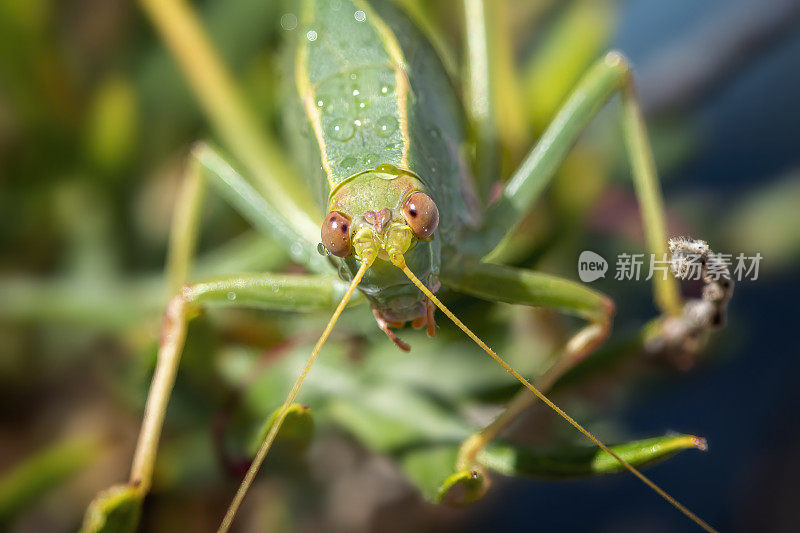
<point x="373" y="92"/>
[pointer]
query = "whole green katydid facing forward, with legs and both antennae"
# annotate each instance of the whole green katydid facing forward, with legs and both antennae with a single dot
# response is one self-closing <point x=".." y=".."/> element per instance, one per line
<point x="380" y="137"/>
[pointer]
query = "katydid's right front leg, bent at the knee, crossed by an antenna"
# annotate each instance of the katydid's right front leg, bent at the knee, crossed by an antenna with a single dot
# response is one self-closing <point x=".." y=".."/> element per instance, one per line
<point x="500" y="283"/>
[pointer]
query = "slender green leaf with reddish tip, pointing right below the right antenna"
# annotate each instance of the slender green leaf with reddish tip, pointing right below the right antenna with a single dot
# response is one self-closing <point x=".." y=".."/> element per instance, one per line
<point x="582" y="461"/>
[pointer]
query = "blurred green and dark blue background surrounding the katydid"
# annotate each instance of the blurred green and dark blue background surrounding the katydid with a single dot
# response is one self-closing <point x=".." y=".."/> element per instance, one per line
<point x="95" y="124"/>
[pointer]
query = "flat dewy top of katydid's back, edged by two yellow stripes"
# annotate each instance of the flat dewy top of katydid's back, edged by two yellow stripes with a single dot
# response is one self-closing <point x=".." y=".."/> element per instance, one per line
<point x="350" y="79"/>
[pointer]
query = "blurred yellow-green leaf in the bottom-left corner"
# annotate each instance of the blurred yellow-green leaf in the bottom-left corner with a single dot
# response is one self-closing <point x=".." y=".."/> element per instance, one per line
<point x="43" y="471"/>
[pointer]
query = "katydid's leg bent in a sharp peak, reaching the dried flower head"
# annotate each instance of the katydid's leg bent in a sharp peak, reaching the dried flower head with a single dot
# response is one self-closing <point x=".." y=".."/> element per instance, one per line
<point x="608" y="76"/>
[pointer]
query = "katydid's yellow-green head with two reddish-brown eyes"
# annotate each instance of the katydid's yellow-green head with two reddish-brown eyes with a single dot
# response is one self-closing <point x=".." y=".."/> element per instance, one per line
<point x="382" y="213"/>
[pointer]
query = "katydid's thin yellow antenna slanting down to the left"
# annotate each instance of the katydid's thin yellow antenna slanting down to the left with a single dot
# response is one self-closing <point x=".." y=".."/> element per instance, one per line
<point x="273" y="431"/>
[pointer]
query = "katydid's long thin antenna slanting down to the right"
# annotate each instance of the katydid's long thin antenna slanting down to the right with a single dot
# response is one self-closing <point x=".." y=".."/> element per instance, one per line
<point x="400" y="262"/>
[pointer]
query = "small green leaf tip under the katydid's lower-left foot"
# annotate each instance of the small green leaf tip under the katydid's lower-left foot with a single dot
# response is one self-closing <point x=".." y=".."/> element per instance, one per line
<point x="114" y="510"/>
